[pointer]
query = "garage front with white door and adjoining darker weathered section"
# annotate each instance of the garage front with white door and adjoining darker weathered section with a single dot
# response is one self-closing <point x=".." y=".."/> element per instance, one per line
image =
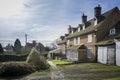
<point x="106" y="54"/>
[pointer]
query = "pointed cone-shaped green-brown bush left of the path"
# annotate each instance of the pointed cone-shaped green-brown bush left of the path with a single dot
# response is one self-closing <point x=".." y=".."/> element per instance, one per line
<point x="36" y="60"/>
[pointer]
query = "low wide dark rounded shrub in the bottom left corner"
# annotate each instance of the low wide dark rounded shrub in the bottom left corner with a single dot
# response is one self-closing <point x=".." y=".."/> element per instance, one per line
<point x="15" y="69"/>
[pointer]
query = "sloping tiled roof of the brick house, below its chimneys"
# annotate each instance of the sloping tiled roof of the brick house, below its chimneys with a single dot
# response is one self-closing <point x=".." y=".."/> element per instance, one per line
<point x="91" y="28"/>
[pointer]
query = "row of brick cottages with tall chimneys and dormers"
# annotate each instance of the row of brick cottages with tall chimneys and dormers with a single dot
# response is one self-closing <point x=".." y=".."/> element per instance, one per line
<point x="88" y="40"/>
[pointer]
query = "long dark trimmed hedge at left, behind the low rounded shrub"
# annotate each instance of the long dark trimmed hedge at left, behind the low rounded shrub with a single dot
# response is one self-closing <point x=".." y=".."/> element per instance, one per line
<point x="12" y="57"/>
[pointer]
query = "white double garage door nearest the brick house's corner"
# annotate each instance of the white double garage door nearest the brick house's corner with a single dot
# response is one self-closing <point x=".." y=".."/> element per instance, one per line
<point x="102" y="55"/>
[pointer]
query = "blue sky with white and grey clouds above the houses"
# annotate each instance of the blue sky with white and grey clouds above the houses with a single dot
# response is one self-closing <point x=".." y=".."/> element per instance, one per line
<point x="45" y="20"/>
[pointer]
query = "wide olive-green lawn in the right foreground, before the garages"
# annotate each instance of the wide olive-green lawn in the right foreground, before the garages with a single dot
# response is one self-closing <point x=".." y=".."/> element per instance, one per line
<point x="92" y="71"/>
